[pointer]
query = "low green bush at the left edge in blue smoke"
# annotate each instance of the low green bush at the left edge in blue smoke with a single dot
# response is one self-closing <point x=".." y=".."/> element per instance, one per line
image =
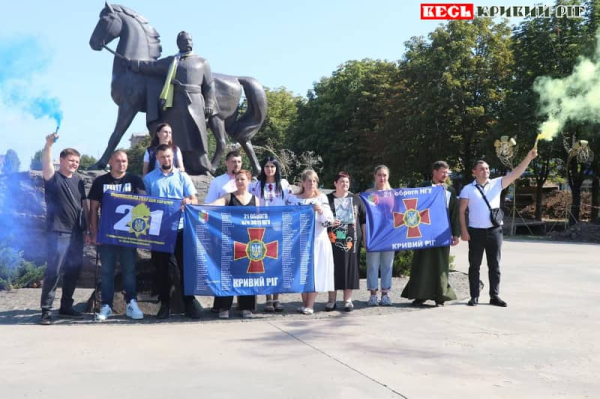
<point x="16" y="272"/>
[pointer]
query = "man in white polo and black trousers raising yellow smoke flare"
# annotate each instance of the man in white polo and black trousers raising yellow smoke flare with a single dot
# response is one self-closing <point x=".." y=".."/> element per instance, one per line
<point x="482" y="235"/>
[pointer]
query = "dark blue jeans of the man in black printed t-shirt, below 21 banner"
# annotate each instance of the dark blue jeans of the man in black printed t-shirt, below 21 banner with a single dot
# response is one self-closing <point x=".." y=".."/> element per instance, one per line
<point x="108" y="257"/>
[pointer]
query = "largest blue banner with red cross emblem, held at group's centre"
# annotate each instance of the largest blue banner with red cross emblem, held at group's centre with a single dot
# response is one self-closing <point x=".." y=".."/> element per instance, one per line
<point x="245" y="250"/>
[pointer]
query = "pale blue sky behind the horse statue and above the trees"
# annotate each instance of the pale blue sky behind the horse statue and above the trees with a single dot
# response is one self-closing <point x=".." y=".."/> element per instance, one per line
<point x="49" y="71"/>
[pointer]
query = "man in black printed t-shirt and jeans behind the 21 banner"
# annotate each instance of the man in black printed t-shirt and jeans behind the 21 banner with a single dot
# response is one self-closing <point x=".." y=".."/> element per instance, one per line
<point x="117" y="180"/>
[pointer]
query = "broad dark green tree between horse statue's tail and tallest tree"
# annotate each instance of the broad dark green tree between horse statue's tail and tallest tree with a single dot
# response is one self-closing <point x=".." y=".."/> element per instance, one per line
<point x="342" y="119"/>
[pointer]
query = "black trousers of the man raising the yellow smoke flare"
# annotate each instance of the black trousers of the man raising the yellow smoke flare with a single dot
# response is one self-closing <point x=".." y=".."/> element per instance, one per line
<point x="490" y="242"/>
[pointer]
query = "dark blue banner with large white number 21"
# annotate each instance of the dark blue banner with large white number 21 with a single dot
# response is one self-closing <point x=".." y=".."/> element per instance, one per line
<point x="139" y="221"/>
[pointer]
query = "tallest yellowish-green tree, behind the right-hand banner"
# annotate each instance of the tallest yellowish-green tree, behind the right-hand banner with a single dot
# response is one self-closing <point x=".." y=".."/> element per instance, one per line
<point x="456" y="86"/>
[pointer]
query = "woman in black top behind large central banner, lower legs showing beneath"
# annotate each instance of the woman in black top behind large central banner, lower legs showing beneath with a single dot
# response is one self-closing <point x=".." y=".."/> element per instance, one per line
<point x="240" y="197"/>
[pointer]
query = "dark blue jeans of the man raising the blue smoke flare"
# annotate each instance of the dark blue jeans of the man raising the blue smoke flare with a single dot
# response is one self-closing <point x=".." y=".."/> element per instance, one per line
<point x="64" y="258"/>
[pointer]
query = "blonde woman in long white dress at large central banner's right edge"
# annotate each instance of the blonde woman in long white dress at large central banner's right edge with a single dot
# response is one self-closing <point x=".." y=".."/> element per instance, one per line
<point x="323" y="255"/>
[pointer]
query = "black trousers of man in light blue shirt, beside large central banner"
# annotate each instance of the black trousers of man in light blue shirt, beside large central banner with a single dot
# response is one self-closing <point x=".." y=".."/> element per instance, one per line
<point x="169" y="270"/>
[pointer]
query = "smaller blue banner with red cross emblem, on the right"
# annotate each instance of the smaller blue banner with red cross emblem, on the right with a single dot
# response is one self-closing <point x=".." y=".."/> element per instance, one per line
<point x="407" y="218"/>
